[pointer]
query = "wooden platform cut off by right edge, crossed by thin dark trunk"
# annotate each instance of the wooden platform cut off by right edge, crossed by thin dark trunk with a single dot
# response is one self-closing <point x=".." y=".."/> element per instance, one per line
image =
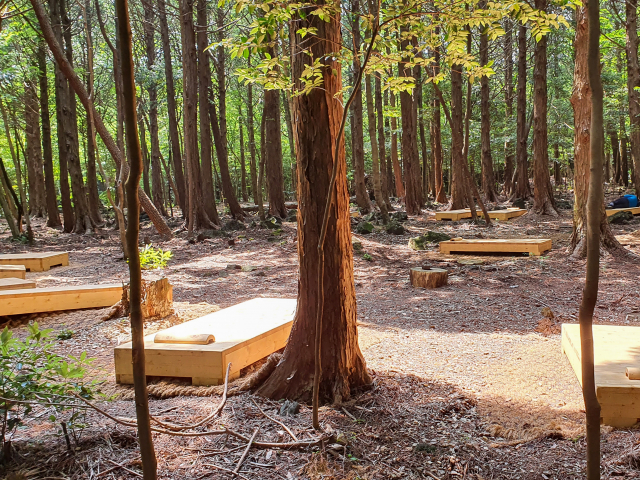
<point x="615" y="349"/>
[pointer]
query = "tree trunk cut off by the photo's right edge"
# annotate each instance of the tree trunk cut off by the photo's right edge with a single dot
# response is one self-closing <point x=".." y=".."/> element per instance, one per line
<point x="633" y="84"/>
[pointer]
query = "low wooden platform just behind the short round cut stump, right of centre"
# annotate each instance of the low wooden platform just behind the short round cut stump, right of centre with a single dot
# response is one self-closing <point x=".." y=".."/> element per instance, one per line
<point x="535" y="246"/>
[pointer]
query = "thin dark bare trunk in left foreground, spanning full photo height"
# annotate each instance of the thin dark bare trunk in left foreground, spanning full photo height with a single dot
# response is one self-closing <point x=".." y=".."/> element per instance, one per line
<point x="147" y="452"/>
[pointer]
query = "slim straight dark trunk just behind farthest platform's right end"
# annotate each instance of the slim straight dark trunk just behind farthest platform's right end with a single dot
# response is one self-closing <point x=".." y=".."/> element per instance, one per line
<point x="521" y="187"/>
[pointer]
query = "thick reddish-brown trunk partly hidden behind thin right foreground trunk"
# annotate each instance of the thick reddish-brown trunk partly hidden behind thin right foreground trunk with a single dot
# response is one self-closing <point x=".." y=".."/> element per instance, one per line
<point x="582" y="112"/>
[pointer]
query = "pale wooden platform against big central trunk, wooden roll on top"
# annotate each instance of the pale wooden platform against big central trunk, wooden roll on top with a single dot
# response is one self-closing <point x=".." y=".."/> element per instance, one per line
<point x="244" y="334"/>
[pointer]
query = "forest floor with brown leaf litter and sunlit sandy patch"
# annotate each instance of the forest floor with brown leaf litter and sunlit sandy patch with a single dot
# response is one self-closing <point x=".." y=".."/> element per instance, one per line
<point x="470" y="380"/>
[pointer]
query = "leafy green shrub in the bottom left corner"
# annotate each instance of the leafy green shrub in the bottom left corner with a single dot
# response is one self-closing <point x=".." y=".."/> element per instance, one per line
<point x="32" y="375"/>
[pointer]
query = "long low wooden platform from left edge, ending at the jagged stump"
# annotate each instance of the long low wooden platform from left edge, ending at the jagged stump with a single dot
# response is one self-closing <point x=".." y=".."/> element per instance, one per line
<point x="52" y="299"/>
